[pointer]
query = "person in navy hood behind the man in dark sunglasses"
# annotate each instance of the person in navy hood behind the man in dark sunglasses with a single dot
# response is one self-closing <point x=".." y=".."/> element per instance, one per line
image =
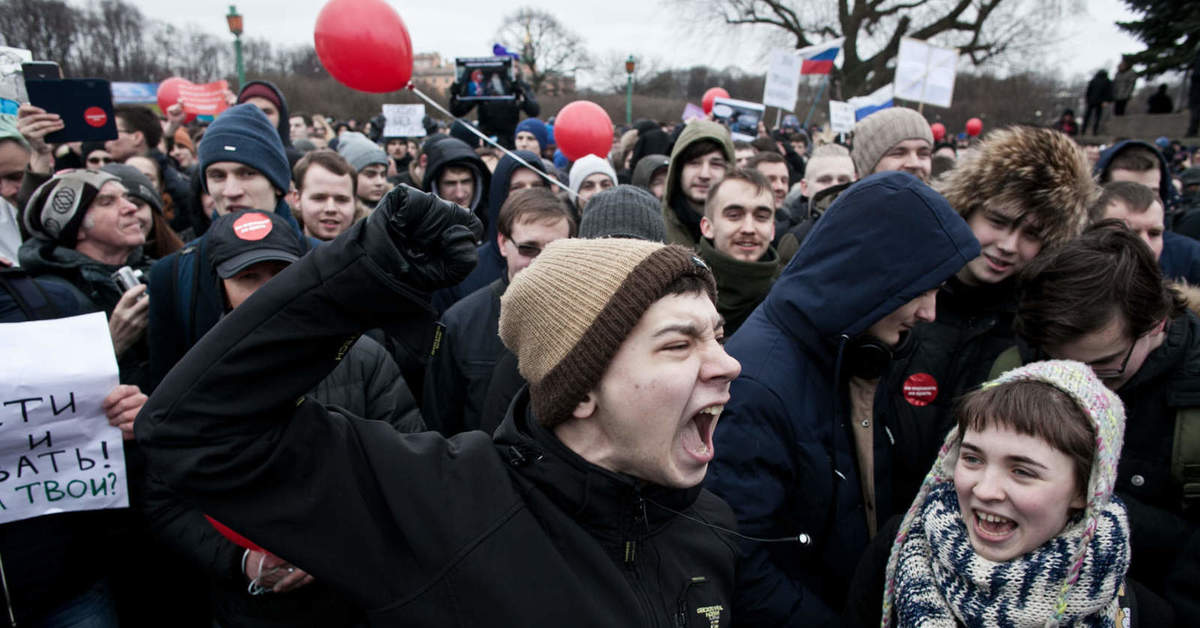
<point x="491" y="265"/>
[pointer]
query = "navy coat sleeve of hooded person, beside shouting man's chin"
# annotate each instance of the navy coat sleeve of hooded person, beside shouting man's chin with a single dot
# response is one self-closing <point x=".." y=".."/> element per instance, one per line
<point x="754" y="471"/>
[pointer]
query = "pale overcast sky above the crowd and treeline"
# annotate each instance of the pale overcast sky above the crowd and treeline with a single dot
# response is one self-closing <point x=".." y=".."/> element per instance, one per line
<point x="466" y="28"/>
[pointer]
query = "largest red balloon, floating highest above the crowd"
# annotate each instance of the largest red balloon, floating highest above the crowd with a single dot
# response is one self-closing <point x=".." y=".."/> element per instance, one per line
<point x="364" y="45"/>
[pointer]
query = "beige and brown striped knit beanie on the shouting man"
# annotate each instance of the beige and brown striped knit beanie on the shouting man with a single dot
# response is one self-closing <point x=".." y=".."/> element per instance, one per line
<point x="567" y="315"/>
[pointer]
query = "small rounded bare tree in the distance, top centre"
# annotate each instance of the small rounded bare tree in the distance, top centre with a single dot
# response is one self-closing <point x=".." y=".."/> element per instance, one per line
<point x="547" y="46"/>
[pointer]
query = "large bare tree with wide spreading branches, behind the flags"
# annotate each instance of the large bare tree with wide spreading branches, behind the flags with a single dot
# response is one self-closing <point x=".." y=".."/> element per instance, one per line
<point x="980" y="29"/>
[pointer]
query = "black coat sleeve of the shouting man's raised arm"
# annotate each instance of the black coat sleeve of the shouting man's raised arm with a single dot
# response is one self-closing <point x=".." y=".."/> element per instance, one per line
<point x="375" y="513"/>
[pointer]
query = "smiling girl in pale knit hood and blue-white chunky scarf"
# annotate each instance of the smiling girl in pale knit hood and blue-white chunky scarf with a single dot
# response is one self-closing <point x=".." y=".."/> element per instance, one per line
<point x="1016" y="525"/>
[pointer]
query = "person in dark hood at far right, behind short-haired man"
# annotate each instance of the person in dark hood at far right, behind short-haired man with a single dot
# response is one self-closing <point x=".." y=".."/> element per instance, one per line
<point x="1143" y="163"/>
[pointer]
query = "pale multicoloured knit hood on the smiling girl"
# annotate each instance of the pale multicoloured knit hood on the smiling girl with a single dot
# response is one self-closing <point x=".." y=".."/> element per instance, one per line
<point x="1106" y="411"/>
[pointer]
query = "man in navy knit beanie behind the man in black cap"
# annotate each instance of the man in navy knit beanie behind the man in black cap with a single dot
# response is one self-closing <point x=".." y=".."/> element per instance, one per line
<point x="185" y="301"/>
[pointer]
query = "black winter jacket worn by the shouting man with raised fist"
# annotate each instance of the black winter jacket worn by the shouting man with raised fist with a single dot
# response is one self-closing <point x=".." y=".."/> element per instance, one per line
<point x="418" y="530"/>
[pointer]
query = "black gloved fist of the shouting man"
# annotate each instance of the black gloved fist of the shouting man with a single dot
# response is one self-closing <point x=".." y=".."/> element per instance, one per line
<point x="436" y="238"/>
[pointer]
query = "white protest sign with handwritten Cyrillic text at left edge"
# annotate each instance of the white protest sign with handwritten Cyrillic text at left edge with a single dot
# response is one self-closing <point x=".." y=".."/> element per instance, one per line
<point x="58" y="453"/>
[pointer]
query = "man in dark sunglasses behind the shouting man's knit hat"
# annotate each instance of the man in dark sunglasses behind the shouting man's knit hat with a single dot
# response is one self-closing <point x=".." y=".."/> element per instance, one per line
<point x="463" y="364"/>
